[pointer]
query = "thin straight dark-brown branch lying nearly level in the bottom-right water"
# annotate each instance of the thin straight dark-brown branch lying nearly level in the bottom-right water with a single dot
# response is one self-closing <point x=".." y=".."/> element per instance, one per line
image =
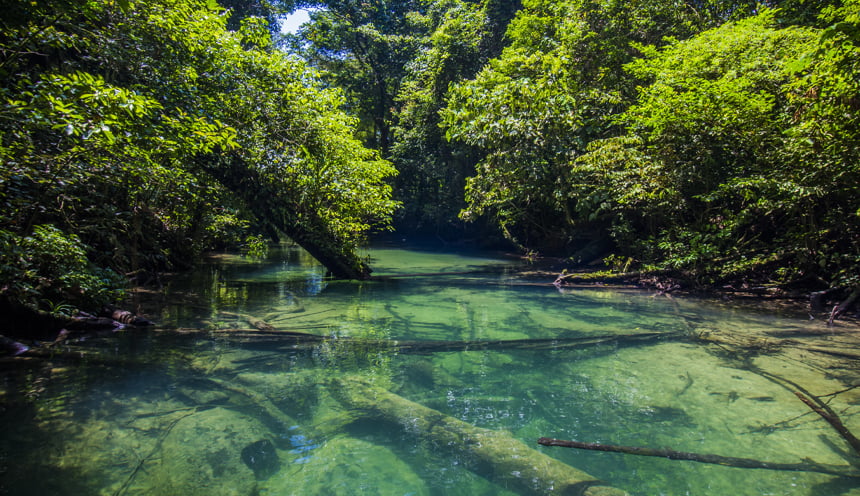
<point x="805" y="466"/>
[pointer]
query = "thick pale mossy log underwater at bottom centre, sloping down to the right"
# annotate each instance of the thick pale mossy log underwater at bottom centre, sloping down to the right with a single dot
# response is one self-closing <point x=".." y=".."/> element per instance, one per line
<point x="492" y="454"/>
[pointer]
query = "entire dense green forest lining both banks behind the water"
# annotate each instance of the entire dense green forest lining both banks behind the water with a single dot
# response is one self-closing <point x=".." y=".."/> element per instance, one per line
<point x="713" y="140"/>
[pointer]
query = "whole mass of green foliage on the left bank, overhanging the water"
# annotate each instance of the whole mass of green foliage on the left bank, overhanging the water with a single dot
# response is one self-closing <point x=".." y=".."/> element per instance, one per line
<point x="115" y="119"/>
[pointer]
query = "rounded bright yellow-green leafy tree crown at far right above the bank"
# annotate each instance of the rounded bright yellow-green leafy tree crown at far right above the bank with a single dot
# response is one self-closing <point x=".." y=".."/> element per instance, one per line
<point x="757" y="171"/>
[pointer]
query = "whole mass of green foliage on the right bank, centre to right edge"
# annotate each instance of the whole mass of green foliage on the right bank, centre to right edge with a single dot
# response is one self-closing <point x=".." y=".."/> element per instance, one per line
<point x="718" y="139"/>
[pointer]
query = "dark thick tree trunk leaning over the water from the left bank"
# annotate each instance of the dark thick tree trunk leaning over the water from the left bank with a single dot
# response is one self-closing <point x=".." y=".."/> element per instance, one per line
<point x="303" y="225"/>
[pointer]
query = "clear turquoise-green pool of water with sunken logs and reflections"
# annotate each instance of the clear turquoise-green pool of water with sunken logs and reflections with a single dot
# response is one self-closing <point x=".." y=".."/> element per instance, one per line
<point x="264" y="378"/>
